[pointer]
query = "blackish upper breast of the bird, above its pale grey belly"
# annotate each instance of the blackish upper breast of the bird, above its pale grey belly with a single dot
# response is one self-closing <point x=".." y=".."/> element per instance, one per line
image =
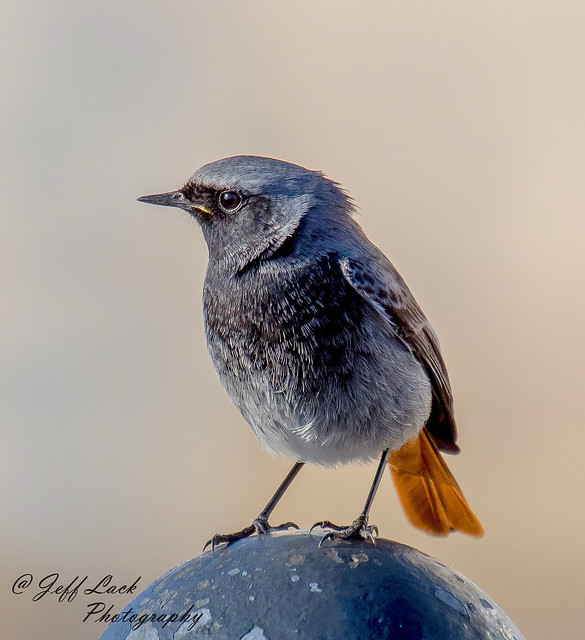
<point x="295" y="323"/>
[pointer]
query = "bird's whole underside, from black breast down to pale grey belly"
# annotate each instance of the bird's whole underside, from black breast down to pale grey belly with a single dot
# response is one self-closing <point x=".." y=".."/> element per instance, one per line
<point x="310" y="366"/>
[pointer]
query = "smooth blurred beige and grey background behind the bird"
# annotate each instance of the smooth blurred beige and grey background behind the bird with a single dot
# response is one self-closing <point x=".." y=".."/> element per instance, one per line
<point x="458" y="128"/>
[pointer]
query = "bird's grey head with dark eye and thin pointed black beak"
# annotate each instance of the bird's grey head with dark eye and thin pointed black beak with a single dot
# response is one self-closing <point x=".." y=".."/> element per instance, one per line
<point x="248" y="206"/>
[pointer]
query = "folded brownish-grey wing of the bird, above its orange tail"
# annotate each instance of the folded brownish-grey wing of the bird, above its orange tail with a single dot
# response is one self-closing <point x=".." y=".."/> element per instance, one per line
<point x="380" y="284"/>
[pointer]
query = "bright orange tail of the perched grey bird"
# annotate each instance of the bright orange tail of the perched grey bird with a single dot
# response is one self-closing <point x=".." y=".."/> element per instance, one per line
<point x="428" y="491"/>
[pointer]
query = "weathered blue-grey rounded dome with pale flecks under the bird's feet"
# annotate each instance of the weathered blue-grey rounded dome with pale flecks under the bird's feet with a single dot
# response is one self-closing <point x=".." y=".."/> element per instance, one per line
<point x="282" y="586"/>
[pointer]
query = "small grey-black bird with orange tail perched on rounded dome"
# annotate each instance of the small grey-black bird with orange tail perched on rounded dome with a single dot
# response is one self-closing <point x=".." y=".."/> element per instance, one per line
<point x="319" y="342"/>
